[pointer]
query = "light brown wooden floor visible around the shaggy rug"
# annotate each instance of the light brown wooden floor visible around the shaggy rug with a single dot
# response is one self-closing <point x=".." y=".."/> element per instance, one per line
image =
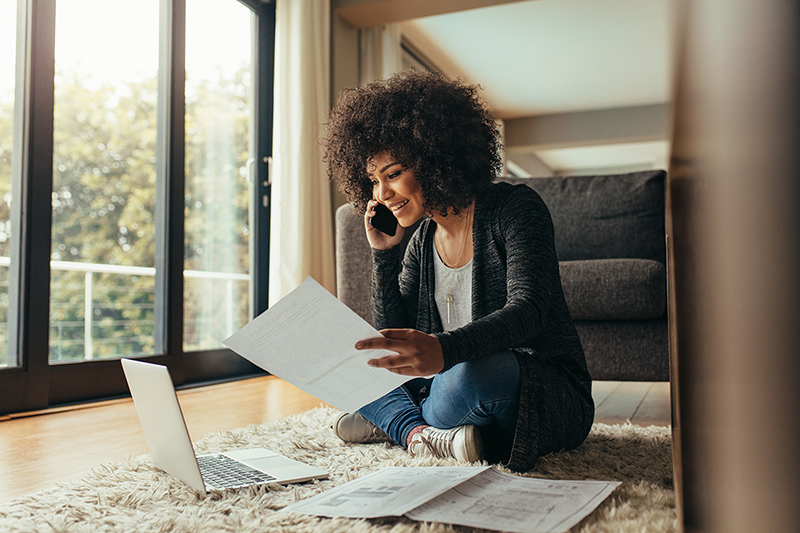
<point x="43" y="448"/>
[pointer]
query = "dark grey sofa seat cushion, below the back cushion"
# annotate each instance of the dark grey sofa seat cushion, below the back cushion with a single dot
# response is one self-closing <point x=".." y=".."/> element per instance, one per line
<point x="614" y="289"/>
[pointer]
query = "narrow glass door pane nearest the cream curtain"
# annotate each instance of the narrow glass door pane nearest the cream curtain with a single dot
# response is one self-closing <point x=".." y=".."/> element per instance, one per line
<point x="218" y="171"/>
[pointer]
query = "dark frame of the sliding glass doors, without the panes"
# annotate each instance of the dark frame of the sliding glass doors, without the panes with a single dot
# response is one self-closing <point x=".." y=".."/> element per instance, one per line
<point x="34" y="383"/>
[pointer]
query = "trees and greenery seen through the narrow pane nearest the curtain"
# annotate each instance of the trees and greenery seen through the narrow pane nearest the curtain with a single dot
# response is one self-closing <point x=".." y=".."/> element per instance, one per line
<point x="217" y="121"/>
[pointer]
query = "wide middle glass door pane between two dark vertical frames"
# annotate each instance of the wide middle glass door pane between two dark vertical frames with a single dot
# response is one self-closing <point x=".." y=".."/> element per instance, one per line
<point x="104" y="179"/>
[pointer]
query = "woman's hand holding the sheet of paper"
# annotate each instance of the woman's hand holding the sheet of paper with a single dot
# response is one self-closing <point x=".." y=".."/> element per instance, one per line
<point x="418" y="353"/>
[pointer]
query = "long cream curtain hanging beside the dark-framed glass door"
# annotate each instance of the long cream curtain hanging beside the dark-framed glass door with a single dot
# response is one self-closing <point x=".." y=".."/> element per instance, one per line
<point x="301" y="235"/>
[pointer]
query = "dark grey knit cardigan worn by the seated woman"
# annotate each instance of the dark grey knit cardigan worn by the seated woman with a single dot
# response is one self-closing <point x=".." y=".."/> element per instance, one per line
<point x="517" y="304"/>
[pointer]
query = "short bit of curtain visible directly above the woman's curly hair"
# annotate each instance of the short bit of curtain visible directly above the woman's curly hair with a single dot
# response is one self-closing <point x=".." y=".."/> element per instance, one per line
<point x="380" y="52"/>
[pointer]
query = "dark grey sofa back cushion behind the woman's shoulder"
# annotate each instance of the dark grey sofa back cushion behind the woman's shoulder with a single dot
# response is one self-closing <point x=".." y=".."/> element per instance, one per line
<point x="605" y="217"/>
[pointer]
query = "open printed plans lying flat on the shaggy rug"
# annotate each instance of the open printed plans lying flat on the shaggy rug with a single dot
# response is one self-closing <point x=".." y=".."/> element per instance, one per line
<point x="482" y="497"/>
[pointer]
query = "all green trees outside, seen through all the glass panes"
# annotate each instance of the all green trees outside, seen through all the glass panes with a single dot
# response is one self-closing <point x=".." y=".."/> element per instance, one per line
<point x="103" y="201"/>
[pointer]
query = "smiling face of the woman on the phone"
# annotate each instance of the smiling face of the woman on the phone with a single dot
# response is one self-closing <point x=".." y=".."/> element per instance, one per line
<point x="396" y="188"/>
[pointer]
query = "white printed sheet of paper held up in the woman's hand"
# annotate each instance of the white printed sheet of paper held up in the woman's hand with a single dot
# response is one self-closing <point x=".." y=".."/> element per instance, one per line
<point x="308" y="339"/>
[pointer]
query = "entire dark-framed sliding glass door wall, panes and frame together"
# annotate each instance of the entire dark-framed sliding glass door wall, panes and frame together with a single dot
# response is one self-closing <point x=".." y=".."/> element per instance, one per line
<point x="134" y="140"/>
